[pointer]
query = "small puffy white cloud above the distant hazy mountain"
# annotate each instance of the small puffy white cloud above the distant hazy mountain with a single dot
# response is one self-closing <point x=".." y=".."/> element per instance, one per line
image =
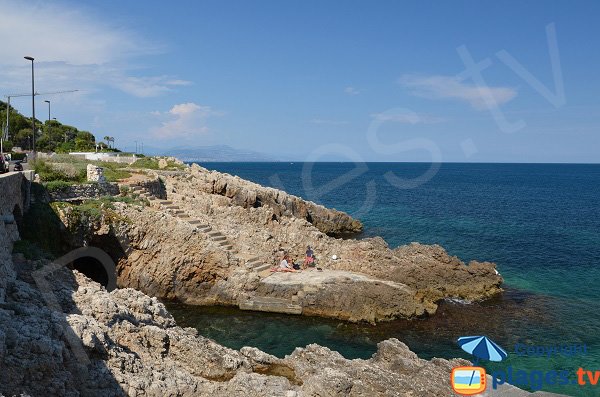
<point x="185" y="120"/>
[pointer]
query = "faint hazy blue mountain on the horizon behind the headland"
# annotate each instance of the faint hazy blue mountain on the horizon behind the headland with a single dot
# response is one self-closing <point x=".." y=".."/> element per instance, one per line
<point x="211" y="154"/>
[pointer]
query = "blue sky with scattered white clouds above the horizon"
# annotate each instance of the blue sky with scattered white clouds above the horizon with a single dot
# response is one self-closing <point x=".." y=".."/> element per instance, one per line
<point x="460" y="81"/>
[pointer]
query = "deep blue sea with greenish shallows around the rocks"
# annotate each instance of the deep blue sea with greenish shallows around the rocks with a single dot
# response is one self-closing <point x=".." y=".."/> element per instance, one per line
<point x="540" y="223"/>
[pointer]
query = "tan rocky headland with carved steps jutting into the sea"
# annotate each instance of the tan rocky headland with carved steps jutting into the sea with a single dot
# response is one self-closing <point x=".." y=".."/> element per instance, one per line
<point x="367" y="281"/>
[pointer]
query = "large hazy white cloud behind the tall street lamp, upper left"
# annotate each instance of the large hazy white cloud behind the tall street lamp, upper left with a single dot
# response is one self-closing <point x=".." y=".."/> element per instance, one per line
<point x="74" y="49"/>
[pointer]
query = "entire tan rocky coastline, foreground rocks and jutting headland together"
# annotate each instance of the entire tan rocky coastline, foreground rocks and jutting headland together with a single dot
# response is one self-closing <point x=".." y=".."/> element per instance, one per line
<point x="62" y="333"/>
